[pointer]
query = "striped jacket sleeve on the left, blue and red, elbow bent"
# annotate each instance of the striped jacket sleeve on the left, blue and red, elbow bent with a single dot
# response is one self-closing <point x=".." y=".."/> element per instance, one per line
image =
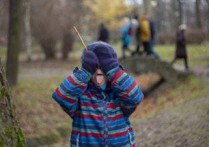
<point x="72" y="87"/>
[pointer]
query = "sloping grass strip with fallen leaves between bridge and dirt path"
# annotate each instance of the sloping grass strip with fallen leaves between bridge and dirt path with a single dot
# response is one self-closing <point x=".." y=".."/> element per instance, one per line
<point x="189" y="89"/>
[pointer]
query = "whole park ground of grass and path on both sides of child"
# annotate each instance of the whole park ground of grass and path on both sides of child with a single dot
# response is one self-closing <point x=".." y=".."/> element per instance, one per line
<point x="178" y="116"/>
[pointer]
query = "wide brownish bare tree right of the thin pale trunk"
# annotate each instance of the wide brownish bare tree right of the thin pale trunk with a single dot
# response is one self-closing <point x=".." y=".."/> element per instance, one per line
<point x="46" y="25"/>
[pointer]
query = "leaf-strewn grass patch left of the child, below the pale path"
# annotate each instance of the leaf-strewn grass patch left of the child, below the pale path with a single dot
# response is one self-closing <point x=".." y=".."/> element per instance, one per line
<point x="38" y="113"/>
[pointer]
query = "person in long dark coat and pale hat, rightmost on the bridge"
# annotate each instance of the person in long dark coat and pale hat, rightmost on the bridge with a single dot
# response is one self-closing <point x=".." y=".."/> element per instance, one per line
<point x="181" y="52"/>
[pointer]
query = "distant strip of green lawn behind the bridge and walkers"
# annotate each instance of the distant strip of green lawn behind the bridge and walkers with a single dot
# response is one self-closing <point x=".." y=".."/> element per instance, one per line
<point x="198" y="55"/>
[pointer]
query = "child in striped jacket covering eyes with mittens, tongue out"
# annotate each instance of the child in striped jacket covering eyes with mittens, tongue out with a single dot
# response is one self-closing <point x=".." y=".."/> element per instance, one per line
<point x="99" y="97"/>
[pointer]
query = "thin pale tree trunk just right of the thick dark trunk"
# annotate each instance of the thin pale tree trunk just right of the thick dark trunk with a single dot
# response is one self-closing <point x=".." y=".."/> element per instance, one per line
<point x="27" y="36"/>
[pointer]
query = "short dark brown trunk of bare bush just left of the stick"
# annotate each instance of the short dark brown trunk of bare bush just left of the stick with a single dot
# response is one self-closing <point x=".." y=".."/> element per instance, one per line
<point x="67" y="44"/>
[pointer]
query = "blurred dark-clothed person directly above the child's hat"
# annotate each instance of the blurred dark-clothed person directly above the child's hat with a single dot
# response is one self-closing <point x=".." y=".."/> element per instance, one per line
<point x="103" y="33"/>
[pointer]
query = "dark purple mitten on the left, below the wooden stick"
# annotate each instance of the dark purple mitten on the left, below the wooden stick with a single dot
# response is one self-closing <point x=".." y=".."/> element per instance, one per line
<point x="90" y="61"/>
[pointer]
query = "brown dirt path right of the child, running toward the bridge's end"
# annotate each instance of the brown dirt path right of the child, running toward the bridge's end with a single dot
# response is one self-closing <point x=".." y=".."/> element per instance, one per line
<point x="184" y="125"/>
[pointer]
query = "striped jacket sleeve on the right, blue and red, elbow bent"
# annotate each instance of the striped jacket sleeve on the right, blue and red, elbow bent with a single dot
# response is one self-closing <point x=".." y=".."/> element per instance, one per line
<point x="126" y="89"/>
